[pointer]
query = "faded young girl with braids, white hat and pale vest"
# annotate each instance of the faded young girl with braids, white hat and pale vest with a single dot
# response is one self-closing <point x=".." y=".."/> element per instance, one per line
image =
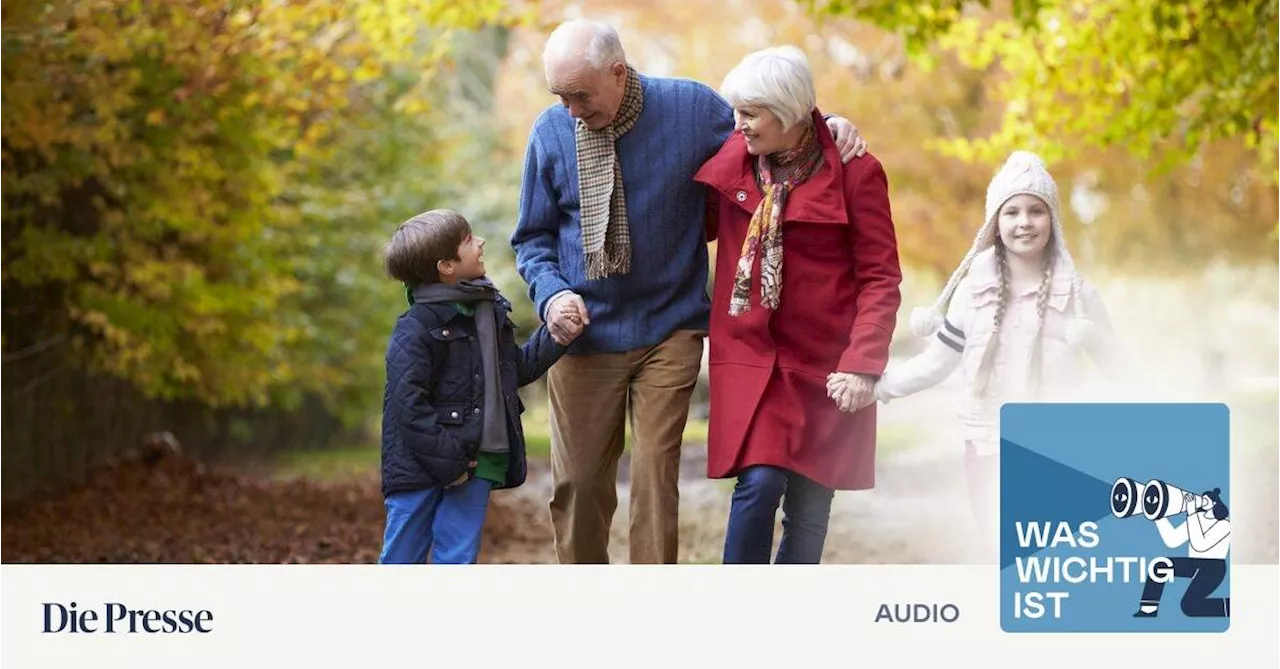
<point x="1013" y="317"/>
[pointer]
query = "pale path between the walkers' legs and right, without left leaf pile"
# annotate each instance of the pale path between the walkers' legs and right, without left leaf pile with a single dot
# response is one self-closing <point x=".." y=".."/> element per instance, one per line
<point x="917" y="515"/>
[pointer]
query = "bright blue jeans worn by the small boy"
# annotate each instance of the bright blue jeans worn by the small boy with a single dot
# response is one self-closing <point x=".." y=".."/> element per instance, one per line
<point x="446" y="524"/>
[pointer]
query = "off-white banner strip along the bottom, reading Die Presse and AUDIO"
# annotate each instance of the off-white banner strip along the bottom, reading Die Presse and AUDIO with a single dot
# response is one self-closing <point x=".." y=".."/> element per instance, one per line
<point x="566" y="617"/>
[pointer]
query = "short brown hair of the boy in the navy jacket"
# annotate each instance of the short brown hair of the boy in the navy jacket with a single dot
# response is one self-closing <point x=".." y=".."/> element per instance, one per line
<point x="423" y="242"/>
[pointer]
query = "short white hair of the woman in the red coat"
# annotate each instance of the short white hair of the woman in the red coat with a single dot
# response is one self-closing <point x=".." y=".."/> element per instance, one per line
<point x="778" y="80"/>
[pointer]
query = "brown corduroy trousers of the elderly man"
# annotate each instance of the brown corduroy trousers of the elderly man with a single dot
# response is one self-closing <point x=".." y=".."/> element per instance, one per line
<point x="589" y="398"/>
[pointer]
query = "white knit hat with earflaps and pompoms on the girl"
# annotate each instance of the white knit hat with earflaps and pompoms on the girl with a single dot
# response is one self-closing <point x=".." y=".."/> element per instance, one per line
<point x="1023" y="173"/>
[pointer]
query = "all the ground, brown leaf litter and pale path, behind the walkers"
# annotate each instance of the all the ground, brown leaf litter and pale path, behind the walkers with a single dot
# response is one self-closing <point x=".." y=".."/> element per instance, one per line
<point x="177" y="512"/>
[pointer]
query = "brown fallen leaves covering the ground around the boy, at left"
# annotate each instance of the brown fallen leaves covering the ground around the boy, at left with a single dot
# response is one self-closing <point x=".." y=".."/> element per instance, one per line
<point x="172" y="510"/>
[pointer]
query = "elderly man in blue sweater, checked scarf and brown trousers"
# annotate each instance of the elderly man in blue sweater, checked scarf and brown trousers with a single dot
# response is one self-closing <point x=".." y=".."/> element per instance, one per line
<point x="611" y="239"/>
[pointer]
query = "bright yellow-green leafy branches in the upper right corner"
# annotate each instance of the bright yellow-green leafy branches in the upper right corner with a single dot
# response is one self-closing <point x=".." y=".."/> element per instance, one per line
<point x="1154" y="77"/>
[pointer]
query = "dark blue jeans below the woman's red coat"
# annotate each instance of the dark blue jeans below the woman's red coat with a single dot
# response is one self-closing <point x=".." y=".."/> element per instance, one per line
<point x="806" y="512"/>
